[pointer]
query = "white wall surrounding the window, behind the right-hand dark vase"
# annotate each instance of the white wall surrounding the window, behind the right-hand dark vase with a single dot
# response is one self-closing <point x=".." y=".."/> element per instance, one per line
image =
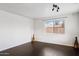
<point x="71" y="30"/>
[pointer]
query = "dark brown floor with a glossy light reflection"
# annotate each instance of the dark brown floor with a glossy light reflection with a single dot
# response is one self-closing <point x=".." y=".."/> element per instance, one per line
<point x="40" y="49"/>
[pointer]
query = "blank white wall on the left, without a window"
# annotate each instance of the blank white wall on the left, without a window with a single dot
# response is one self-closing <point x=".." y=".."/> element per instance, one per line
<point x="14" y="30"/>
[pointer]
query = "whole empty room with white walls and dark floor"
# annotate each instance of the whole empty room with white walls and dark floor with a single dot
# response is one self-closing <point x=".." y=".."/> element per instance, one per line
<point x="39" y="29"/>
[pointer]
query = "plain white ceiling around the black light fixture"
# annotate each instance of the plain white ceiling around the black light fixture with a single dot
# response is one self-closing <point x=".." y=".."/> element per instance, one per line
<point x="39" y="10"/>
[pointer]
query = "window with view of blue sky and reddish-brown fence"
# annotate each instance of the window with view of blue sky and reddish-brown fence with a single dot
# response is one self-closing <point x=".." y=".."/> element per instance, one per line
<point x="54" y="26"/>
